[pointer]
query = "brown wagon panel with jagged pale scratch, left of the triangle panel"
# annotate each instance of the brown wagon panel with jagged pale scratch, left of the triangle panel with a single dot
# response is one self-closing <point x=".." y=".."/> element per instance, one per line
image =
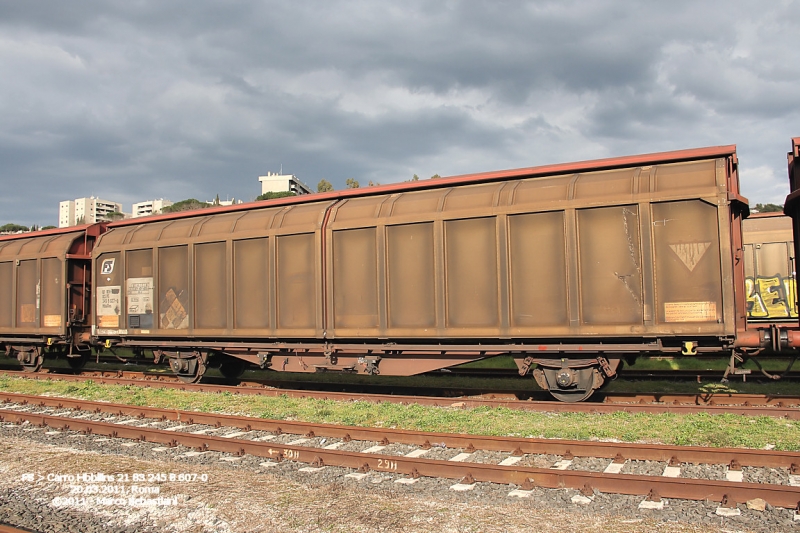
<point x="610" y="266"/>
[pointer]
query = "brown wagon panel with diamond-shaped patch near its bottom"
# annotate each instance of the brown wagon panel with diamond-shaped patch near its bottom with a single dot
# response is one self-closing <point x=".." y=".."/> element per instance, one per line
<point x="173" y="287"/>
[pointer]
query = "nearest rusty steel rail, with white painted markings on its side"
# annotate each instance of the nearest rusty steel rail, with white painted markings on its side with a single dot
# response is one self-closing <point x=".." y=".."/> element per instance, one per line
<point x="683" y="488"/>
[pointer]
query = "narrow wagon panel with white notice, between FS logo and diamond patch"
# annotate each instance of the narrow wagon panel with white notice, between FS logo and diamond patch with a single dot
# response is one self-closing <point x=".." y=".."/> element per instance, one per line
<point x="139" y="287"/>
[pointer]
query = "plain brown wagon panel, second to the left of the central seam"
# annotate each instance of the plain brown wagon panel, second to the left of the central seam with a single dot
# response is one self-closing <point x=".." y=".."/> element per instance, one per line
<point x="251" y="284"/>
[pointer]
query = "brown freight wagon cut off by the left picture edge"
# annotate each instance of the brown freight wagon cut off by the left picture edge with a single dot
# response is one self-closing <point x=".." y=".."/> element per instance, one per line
<point x="45" y="294"/>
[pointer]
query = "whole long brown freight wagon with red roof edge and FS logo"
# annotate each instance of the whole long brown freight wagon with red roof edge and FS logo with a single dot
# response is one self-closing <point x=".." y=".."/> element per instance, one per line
<point x="569" y="267"/>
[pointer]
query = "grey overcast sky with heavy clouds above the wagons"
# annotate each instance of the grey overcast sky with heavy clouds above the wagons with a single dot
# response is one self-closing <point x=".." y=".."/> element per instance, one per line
<point x="135" y="100"/>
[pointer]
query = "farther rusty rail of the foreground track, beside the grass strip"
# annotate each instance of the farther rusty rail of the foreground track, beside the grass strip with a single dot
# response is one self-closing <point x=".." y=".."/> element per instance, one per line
<point x="516" y="445"/>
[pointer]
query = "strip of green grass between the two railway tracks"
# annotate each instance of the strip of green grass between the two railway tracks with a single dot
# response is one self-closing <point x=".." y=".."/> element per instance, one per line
<point x="694" y="429"/>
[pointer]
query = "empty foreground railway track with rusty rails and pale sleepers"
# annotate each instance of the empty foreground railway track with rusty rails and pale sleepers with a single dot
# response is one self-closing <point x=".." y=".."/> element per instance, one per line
<point x="614" y="468"/>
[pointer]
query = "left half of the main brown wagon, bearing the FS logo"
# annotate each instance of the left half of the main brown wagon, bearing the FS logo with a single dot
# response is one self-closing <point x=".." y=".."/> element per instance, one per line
<point x="193" y="285"/>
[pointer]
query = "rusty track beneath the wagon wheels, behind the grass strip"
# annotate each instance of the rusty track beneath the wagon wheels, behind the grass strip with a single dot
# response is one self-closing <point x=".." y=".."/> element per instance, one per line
<point x="715" y="403"/>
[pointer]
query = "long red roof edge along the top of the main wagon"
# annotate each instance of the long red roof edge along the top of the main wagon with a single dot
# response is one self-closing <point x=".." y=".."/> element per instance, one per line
<point x="547" y="170"/>
